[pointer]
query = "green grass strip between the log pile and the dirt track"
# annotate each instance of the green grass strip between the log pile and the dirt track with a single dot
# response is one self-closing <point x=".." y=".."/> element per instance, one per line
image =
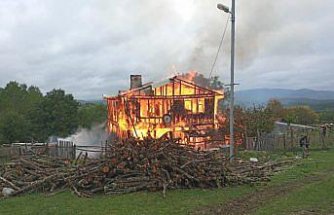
<point x="176" y="202"/>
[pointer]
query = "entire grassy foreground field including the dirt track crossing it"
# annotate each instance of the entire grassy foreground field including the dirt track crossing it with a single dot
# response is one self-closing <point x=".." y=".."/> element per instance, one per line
<point x="307" y="186"/>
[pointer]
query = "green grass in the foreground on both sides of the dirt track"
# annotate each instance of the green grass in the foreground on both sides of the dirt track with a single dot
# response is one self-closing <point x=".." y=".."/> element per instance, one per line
<point x="184" y="201"/>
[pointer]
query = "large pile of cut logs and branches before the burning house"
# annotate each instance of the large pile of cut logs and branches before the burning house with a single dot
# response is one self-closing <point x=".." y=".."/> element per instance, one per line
<point x="151" y="165"/>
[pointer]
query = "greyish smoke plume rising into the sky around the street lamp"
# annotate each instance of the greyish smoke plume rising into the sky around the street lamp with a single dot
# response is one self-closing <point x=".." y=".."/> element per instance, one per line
<point x="254" y="20"/>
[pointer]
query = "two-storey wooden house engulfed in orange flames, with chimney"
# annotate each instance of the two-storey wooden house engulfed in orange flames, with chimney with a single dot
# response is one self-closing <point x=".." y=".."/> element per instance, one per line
<point x="175" y="108"/>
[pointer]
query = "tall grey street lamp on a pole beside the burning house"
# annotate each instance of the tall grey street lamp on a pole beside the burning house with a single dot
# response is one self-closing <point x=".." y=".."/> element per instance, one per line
<point x="232" y="12"/>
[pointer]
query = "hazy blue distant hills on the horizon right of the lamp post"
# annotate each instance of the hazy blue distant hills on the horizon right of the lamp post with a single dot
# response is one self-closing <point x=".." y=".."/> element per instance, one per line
<point x="318" y="100"/>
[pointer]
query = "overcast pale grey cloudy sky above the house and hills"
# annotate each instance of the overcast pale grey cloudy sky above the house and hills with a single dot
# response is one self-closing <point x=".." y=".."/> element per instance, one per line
<point x="90" y="47"/>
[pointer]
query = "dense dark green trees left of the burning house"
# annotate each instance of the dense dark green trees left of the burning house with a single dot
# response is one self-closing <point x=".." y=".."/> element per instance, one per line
<point x="26" y="115"/>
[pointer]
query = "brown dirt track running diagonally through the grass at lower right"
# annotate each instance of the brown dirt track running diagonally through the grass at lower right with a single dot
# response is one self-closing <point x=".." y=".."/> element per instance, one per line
<point x="249" y="203"/>
